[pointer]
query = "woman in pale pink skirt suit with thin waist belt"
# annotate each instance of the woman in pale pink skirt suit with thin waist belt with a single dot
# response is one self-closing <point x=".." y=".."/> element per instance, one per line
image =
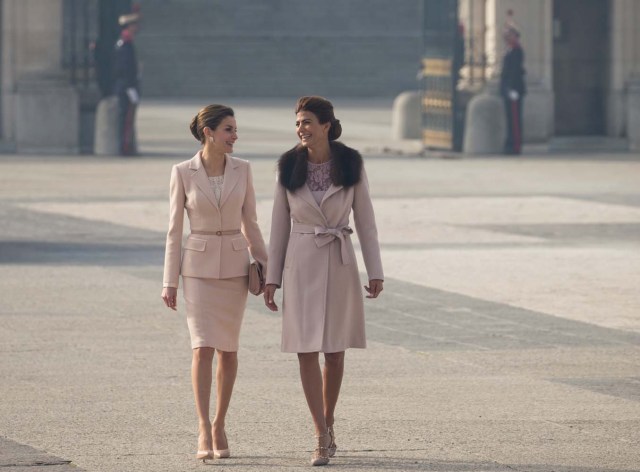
<point x="217" y="192"/>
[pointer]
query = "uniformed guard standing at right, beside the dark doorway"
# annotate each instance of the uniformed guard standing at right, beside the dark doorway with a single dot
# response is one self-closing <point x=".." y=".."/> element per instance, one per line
<point x="513" y="89"/>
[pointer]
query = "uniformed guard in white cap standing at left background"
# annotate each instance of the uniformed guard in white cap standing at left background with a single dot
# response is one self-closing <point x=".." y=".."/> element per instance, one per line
<point x="126" y="83"/>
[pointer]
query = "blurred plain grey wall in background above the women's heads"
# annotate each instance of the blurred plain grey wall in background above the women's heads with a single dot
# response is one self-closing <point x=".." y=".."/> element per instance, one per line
<point x="279" y="48"/>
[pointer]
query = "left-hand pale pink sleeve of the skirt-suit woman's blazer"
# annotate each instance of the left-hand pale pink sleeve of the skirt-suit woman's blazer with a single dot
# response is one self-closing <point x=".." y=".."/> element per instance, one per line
<point x="172" y="255"/>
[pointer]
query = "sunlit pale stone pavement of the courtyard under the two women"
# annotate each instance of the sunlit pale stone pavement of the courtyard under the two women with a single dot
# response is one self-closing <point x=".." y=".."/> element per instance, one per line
<point x="507" y="337"/>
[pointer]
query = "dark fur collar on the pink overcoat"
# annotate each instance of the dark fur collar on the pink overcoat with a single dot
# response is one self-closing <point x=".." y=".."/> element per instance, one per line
<point x="292" y="166"/>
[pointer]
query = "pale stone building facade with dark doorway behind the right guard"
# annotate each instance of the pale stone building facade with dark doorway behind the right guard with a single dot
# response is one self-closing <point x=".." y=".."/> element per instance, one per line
<point x="582" y="61"/>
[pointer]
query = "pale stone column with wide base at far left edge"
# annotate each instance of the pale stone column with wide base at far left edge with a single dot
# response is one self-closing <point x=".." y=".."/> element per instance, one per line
<point x="41" y="110"/>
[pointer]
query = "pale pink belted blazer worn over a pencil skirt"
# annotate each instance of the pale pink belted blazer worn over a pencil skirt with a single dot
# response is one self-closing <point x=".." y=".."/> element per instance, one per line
<point x="211" y="255"/>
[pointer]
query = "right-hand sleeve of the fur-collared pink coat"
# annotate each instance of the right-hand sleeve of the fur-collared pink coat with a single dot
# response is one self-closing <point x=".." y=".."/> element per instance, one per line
<point x="366" y="228"/>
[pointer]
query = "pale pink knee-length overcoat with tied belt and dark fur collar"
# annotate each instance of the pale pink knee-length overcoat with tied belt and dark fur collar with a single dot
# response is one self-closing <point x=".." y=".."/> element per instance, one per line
<point x="311" y="255"/>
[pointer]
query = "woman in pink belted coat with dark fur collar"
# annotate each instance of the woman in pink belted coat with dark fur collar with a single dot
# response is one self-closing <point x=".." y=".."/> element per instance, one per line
<point x="320" y="181"/>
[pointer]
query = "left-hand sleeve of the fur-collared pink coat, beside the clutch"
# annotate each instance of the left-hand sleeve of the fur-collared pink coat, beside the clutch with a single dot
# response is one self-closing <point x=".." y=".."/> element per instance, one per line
<point x="279" y="239"/>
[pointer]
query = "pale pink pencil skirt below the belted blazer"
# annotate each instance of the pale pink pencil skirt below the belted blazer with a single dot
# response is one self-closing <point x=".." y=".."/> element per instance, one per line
<point x="215" y="308"/>
